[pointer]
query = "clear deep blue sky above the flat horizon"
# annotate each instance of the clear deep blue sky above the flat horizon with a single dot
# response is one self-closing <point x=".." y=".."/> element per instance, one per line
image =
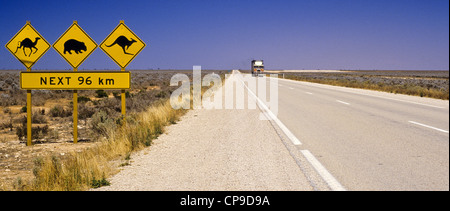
<point x="228" y="34"/>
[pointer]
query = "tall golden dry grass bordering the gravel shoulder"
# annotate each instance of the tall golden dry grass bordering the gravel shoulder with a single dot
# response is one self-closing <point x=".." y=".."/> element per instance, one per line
<point x="91" y="167"/>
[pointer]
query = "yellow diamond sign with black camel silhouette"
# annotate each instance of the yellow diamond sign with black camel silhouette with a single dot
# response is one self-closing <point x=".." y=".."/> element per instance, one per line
<point x="28" y="45"/>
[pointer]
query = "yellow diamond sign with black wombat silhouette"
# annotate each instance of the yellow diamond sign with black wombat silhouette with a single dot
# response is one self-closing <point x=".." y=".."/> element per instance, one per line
<point x="75" y="45"/>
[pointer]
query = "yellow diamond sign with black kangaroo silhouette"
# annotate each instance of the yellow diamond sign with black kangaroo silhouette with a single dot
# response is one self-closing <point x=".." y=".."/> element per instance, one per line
<point x="122" y="45"/>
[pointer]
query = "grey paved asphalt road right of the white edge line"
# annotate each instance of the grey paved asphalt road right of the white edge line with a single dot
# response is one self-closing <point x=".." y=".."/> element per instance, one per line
<point x="369" y="140"/>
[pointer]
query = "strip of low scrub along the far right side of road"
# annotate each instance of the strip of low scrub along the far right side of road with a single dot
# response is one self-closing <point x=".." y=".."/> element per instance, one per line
<point x="432" y="84"/>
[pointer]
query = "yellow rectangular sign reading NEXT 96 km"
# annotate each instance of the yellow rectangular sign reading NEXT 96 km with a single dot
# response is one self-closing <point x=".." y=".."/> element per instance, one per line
<point x="75" y="80"/>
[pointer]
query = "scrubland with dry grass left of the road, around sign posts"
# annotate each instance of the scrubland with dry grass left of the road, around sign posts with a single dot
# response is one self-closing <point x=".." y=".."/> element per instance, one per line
<point x="106" y="138"/>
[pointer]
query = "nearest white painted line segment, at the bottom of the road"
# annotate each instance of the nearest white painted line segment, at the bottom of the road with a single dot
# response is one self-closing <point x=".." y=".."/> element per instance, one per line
<point x="323" y="172"/>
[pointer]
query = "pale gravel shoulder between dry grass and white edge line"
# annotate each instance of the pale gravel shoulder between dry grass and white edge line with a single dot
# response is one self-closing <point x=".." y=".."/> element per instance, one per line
<point x="214" y="150"/>
